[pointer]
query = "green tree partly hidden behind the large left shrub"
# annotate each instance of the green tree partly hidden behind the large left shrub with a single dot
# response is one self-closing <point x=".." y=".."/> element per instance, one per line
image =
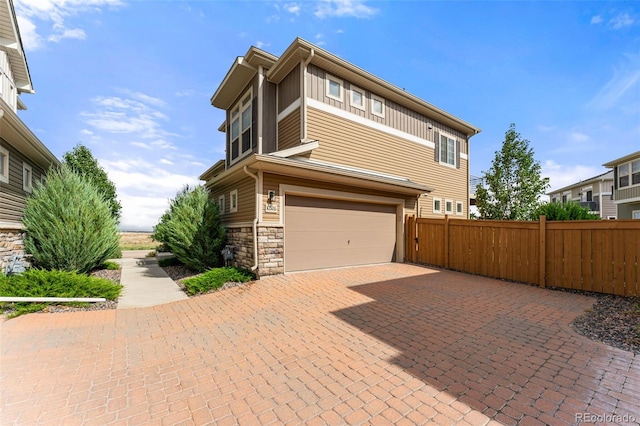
<point x="81" y="161"/>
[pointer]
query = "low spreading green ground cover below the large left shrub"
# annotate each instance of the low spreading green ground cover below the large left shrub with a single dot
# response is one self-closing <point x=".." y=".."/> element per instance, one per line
<point x="41" y="283"/>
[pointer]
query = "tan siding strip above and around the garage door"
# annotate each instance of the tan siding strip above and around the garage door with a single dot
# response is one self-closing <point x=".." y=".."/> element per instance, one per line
<point x="273" y="181"/>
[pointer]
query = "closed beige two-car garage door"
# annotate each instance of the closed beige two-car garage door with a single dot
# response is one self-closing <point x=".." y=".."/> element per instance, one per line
<point x="326" y="233"/>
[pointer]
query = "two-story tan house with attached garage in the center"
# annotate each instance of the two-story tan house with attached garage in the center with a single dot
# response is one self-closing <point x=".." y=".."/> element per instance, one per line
<point x="324" y="160"/>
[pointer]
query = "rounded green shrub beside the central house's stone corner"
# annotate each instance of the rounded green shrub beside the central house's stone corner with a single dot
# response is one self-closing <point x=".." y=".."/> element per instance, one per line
<point x="191" y="229"/>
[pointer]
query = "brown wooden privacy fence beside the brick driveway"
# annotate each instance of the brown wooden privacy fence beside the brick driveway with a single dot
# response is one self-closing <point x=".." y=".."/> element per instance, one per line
<point x="594" y="255"/>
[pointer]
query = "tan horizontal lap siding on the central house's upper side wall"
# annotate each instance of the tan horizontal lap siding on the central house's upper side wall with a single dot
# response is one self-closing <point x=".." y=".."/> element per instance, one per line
<point x="345" y="142"/>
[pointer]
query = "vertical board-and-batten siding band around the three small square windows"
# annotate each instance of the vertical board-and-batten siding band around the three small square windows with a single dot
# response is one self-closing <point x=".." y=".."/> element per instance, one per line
<point x="396" y="116"/>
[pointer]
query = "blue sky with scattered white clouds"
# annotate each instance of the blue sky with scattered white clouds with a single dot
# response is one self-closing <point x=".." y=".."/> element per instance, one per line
<point x="132" y="79"/>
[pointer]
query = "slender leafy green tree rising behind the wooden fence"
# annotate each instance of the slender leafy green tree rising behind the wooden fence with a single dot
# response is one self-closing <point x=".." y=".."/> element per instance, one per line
<point x="513" y="184"/>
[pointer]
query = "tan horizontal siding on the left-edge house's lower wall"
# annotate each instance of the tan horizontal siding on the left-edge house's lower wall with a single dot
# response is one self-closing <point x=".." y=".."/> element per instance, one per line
<point x="12" y="195"/>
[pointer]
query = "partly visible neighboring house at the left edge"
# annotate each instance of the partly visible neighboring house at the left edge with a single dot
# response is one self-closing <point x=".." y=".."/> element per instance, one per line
<point x="23" y="158"/>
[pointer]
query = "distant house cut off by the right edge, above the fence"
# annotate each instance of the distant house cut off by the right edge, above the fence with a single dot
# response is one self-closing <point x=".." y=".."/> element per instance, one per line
<point x="626" y="182"/>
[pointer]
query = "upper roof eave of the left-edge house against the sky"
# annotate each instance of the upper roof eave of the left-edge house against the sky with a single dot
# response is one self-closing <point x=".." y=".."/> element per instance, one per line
<point x="11" y="43"/>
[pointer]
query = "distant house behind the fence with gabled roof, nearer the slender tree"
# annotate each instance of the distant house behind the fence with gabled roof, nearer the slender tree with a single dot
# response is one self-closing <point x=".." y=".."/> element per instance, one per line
<point x="595" y="193"/>
